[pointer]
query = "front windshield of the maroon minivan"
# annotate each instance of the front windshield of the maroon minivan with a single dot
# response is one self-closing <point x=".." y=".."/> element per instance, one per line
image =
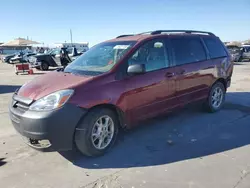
<point x="100" y="58"/>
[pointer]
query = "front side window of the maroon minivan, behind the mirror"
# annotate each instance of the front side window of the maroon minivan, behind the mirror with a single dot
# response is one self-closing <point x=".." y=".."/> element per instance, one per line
<point x="152" y="54"/>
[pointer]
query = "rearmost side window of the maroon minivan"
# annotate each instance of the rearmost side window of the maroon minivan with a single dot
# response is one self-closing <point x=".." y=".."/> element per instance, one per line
<point x="215" y="48"/>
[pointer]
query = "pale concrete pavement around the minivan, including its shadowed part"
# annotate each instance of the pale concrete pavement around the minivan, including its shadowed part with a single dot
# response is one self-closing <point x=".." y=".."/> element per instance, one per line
<point x="188" y="148"/>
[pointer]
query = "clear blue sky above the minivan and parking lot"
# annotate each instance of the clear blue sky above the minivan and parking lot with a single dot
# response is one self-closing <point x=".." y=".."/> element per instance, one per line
<point x="49" y="21"/>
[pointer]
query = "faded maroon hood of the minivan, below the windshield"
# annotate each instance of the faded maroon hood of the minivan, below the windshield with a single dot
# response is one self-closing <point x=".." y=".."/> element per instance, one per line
<point x="49" y="83"/>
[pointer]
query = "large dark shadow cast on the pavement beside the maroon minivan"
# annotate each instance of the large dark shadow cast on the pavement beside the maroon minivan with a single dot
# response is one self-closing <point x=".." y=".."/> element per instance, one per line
<point x="185" y="134"/>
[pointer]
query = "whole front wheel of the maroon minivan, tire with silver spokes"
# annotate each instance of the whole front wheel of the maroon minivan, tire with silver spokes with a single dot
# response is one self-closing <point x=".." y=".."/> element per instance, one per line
<point x="84" y="134"/>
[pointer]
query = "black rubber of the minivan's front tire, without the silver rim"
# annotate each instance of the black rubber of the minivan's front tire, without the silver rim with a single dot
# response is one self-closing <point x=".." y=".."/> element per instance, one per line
<point x="83" y="139"/>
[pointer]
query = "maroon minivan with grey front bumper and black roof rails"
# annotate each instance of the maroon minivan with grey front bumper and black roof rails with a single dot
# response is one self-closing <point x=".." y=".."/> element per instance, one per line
<point x="118" y="83"/>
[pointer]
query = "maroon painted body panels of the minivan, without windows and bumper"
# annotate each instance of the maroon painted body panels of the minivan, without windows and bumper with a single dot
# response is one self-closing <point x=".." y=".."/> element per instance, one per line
<point x="137" y="97"/>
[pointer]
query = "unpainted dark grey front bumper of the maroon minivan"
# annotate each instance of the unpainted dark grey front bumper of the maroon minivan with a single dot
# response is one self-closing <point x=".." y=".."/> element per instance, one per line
<point x="51" y="129"/>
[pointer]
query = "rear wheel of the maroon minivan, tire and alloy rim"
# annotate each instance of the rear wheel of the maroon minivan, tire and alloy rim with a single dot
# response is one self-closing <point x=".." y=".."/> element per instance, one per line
<point x="210" y="103"/>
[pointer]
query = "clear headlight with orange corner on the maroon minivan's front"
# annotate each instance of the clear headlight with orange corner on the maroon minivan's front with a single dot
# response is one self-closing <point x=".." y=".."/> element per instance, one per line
<point x="52" y="101"/>
